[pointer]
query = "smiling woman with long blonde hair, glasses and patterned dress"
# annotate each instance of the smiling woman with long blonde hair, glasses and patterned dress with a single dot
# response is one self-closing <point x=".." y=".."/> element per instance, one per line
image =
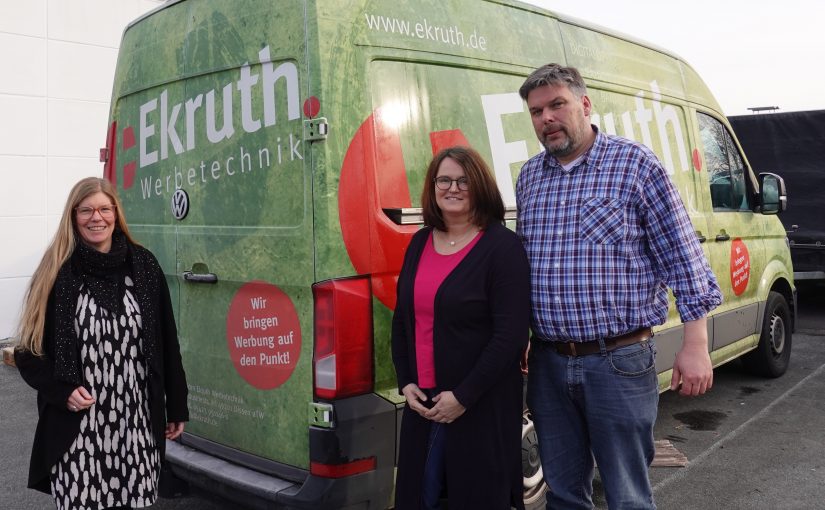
<point x="98" y="341"/>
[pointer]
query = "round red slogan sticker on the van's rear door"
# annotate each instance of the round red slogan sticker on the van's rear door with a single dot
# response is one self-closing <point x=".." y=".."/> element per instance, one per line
<point x="263" y="334"/>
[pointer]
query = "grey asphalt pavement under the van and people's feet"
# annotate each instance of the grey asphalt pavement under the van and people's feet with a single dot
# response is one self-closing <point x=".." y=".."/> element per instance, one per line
<point x="751" y="443"/>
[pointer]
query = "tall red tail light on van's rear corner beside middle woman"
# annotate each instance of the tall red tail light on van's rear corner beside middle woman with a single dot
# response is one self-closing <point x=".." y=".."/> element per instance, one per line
<point x="343" y="356"/>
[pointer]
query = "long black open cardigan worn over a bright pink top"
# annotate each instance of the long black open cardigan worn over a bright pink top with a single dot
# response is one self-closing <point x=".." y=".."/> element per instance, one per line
<point x="480" y="330"/>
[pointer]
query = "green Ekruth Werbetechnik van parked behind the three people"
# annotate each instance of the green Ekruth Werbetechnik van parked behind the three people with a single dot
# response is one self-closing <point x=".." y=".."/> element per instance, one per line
<point x="271" y="154"/>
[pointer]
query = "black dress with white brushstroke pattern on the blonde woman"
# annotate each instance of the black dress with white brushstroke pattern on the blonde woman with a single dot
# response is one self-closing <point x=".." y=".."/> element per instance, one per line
<point x="114" y="461"/>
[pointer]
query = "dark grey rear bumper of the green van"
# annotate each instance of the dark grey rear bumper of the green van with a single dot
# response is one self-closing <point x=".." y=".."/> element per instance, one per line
<point x="365" y="426"/>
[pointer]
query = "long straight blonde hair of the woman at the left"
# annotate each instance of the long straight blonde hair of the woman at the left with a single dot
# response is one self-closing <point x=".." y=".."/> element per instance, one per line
<point x="33" y="317"/>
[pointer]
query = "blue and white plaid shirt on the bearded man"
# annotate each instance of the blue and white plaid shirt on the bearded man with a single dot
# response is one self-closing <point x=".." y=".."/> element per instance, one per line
<point x="604" y="241"/>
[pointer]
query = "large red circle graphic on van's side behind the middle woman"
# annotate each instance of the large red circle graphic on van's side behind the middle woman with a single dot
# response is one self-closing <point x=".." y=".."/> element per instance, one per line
<point x="374" y="178"/>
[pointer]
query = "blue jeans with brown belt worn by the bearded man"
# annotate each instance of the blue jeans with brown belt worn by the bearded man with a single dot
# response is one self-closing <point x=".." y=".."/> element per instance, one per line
<point x="598" y="407"/>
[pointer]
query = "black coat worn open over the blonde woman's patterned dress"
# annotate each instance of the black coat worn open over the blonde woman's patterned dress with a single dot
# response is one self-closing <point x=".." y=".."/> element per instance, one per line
<point x="57" y="427"/>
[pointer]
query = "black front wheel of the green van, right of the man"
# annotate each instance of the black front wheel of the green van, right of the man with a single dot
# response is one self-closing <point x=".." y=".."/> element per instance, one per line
<point x="773" y="354"/>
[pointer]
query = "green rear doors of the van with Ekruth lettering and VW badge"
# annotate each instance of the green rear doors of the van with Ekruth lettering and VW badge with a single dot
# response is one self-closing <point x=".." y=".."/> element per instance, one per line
<point x="212" y="169"/>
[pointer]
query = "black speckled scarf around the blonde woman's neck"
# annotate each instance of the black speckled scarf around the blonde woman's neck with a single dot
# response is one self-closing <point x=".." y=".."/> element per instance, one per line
<point x="103" y="274"/>
